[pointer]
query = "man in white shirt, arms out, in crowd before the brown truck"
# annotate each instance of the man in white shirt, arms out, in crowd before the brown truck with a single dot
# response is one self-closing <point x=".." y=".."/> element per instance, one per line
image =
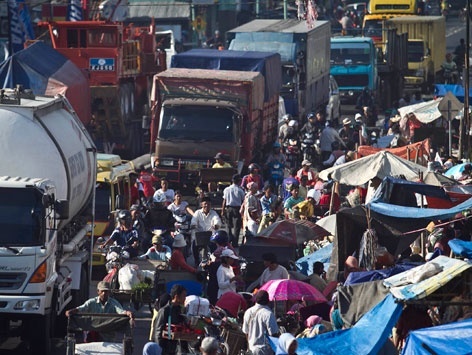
<point x="204" y="220"/>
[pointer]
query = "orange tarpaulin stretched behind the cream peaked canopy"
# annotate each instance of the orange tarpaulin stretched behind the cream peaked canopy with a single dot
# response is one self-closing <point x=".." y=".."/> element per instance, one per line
<point x="416" y="152"/>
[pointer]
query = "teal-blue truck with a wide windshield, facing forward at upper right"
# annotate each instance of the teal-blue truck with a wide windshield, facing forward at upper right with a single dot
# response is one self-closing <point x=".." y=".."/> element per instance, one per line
<point x="354" y="66"/>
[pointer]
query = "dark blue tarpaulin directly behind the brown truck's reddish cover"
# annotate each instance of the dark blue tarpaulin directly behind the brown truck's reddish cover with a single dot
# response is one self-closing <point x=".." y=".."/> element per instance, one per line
<point x="268" y="64"/>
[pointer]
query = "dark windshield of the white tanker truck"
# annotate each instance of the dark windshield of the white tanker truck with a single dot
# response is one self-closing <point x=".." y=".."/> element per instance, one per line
<point x="21" y="216"/>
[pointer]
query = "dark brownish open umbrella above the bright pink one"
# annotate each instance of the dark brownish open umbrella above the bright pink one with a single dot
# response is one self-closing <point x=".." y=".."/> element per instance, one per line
<point x="293" y="231"/>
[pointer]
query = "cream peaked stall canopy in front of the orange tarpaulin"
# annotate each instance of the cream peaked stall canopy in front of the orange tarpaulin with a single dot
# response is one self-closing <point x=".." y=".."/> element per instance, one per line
<point x="379" y="165"/>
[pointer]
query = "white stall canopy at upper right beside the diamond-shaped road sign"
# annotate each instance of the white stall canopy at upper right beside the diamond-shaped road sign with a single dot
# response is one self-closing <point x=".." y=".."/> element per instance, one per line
<point x="429" y="111"/>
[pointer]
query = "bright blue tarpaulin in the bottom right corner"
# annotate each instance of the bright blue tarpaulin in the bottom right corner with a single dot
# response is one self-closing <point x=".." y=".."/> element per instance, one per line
<point x="454" y="338"/>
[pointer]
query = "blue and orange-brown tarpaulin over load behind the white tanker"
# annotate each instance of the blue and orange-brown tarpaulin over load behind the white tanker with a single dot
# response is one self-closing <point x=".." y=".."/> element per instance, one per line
<point x="53" y="74"/>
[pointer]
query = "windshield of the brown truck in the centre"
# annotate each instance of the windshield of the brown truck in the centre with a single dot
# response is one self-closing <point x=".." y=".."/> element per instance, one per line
<point x="197" y="123"/>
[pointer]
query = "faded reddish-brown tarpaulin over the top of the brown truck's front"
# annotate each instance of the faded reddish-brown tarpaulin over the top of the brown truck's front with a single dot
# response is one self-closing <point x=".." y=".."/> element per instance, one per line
<point x="212" y="85"/>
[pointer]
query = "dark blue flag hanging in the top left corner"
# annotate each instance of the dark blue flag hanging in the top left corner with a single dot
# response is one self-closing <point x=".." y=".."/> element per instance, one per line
<point x="21" y="28"/>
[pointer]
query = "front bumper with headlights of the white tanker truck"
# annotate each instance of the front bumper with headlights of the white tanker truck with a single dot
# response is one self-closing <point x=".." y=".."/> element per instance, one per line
<point x="19" y="306"/>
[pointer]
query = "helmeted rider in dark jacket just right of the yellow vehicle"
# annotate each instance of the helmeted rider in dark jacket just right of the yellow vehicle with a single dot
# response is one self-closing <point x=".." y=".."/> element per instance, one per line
<point x="124" y="234"/>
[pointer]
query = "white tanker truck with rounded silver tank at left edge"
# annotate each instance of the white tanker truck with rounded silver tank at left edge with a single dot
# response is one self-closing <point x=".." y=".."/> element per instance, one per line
<point x="47" y="179"/>
